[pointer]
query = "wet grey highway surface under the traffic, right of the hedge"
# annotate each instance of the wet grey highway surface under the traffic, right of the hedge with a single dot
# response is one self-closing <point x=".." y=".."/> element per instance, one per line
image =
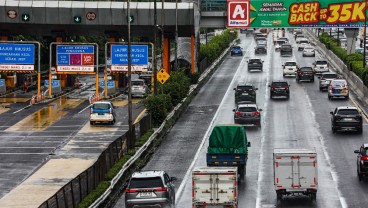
<point x="303" y="121"/>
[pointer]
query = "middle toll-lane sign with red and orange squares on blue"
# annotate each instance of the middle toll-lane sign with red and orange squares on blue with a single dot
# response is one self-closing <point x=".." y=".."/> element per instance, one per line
<point x="75" y="58"/>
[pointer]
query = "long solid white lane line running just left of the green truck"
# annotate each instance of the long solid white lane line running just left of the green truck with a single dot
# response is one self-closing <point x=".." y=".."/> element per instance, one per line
<point x="229" y="89"/>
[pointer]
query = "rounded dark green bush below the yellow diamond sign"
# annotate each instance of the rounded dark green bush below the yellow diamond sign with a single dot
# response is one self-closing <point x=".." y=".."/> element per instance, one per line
<point x="158" y="105"/>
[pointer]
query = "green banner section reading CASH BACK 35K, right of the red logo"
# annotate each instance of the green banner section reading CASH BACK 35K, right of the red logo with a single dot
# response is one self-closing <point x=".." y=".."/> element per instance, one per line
<point x="307" y="13"/>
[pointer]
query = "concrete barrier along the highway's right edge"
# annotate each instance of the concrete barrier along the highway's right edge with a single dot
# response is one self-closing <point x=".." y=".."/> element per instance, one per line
<point x="355" y="83"/>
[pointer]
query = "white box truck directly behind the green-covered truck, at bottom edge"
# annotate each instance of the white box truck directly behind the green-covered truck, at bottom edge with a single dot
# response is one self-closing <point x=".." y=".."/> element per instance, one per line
<point x="215" y="187"/>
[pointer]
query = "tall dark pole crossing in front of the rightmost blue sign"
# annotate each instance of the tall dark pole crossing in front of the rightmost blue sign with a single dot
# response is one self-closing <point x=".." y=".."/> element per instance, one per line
<point x="131" y="141"/>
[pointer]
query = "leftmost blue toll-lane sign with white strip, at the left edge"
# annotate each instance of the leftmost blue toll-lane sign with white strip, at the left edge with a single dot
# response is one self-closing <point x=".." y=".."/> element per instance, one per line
<point x="17" y="57"/>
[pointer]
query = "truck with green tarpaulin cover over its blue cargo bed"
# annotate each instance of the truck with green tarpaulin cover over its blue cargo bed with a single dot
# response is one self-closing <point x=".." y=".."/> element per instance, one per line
<point x="228" y="146"/>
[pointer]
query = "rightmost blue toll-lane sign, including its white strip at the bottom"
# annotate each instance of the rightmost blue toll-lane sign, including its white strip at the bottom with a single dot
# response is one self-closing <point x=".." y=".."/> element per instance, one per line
<point x="119" y="58"/>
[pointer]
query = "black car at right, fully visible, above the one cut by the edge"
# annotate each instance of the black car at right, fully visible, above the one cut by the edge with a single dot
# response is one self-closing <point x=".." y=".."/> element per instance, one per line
<point x="346" y="119"/>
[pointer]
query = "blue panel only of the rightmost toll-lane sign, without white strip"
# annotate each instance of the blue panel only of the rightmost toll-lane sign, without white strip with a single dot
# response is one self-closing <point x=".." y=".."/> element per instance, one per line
<point x="139" y="54"/>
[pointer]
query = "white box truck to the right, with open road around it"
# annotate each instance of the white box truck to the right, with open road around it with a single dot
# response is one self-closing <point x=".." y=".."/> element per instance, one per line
<point x="295" y="172"/>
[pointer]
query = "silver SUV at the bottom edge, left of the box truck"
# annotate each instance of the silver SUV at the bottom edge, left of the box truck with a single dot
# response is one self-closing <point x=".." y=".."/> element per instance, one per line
<point x="150" y="189"/>
